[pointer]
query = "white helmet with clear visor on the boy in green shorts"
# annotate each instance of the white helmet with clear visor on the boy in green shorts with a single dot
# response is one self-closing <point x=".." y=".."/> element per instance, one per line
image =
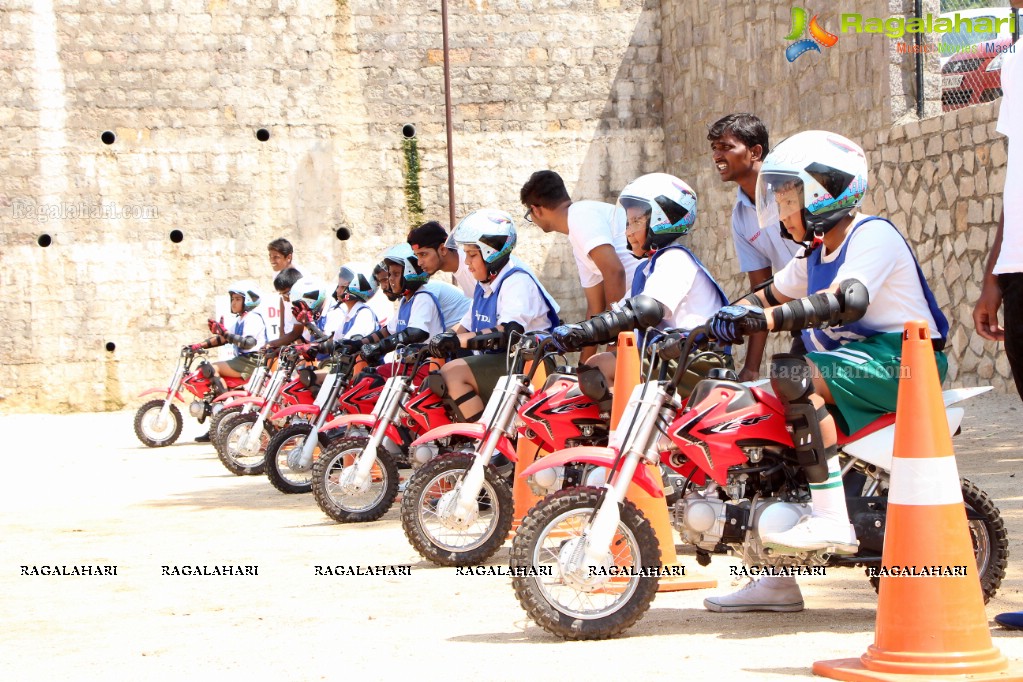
<point x="818" y="175"/>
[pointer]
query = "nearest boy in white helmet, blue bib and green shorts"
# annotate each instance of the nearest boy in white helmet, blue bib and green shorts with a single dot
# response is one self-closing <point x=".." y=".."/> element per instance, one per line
<point x="851" y="296"/>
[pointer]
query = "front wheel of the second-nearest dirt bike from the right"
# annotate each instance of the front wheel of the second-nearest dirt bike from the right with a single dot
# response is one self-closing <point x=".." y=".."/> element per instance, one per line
<point x="451" y="548"/>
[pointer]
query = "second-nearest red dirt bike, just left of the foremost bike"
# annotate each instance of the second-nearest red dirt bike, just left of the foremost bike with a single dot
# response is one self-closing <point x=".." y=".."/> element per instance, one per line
<point x="458" y="509"/>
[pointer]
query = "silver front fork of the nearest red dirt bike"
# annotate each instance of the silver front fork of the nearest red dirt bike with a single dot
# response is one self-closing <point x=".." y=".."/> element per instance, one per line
<point x="600" y="532"/>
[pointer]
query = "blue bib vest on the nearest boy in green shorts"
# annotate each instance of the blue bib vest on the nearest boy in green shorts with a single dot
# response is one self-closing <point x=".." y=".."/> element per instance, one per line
<point x="822" y="276"/>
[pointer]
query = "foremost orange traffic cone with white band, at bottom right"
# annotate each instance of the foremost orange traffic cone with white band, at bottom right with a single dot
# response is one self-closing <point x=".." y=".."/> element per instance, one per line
<point x="931" y="622"/>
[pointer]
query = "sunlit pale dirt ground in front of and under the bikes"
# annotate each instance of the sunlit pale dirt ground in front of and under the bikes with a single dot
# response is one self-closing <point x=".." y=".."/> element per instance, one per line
<point x="103" y="499"/>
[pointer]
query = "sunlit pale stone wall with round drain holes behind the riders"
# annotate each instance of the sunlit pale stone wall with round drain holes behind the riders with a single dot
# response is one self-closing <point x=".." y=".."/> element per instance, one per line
<point x="571" y="85"/>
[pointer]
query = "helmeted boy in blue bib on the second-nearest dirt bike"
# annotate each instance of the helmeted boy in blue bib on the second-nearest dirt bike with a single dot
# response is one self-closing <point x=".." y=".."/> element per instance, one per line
<point x="660" y="210"/>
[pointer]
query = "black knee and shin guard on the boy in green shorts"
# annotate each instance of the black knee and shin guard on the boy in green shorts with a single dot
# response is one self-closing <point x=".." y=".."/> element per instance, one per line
<point x="790" y="377"/>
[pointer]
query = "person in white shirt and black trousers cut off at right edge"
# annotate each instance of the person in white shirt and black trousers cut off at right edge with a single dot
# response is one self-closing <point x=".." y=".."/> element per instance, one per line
<point x="1004" y="275"/>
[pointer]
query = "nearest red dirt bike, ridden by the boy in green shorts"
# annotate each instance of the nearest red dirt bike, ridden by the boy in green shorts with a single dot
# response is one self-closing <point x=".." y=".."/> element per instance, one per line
<point x="738" y="479"/>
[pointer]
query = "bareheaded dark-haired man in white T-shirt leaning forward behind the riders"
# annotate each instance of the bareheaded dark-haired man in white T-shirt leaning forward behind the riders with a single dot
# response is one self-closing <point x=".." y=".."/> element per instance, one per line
<point x="602" y="253"/>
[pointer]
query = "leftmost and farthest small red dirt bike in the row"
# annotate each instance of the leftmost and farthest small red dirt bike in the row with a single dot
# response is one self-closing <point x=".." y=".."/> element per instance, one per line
<point x="159" y="423"/>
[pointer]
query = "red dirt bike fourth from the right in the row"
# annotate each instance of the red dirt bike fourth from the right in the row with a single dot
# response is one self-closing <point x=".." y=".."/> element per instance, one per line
<point x="292" y="452"/>
